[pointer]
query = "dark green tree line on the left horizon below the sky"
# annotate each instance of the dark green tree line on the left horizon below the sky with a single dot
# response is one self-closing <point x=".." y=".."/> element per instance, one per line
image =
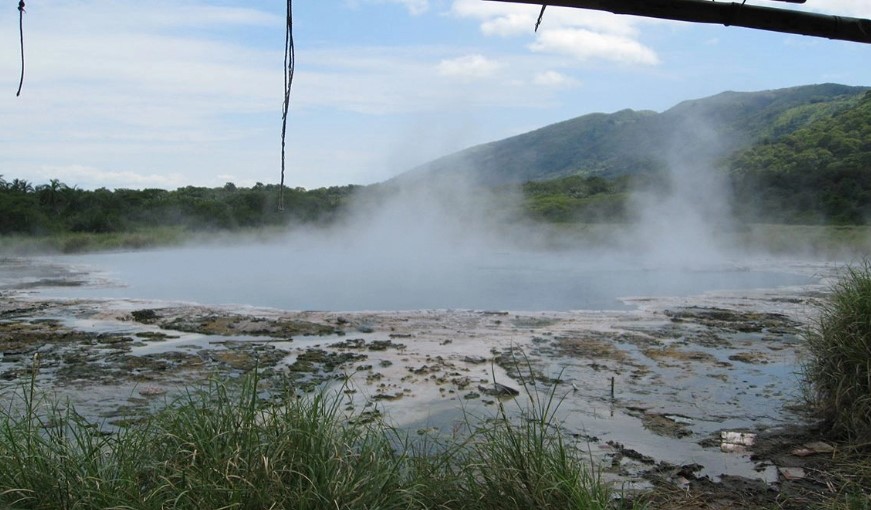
<point x="55" y="207"/>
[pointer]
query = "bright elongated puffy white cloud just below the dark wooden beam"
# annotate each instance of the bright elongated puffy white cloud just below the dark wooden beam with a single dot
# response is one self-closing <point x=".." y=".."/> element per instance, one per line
<point x="585" y="45"/>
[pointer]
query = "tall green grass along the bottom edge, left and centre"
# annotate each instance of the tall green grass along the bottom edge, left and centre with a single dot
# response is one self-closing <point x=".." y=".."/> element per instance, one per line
<point x="226" y="447"/>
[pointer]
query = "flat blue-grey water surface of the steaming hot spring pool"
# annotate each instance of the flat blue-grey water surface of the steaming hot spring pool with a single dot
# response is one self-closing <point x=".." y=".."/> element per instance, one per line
<point x="297" y="278"/>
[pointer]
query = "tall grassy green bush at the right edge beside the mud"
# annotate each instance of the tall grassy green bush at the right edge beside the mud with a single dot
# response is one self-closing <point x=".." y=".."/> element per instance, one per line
<point x="838" y="372"/>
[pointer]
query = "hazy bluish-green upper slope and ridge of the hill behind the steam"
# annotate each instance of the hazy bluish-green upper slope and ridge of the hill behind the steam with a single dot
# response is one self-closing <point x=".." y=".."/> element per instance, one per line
<point x="629" y="142"/>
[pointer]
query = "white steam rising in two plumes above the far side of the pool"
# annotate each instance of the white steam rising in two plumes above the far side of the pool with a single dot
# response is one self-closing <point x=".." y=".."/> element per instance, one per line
<point x="436" y="220"/>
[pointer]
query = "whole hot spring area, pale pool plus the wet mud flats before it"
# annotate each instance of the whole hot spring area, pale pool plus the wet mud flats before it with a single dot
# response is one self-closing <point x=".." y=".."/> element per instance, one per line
<point x="693" y="350"/>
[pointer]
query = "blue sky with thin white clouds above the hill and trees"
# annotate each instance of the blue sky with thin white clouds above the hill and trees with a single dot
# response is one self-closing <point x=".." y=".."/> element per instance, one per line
<point x="136" y="94"/>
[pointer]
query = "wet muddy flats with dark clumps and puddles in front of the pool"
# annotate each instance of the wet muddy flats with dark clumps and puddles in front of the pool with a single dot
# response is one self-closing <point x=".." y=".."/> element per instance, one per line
<point x="653" y="393"/>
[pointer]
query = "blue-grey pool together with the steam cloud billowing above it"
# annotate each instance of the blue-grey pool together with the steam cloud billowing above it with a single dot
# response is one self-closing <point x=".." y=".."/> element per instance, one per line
<point x="440" y="244"/>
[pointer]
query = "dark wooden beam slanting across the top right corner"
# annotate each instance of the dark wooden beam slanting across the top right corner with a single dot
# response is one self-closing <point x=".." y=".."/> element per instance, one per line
<point x="729" y="13"/>
